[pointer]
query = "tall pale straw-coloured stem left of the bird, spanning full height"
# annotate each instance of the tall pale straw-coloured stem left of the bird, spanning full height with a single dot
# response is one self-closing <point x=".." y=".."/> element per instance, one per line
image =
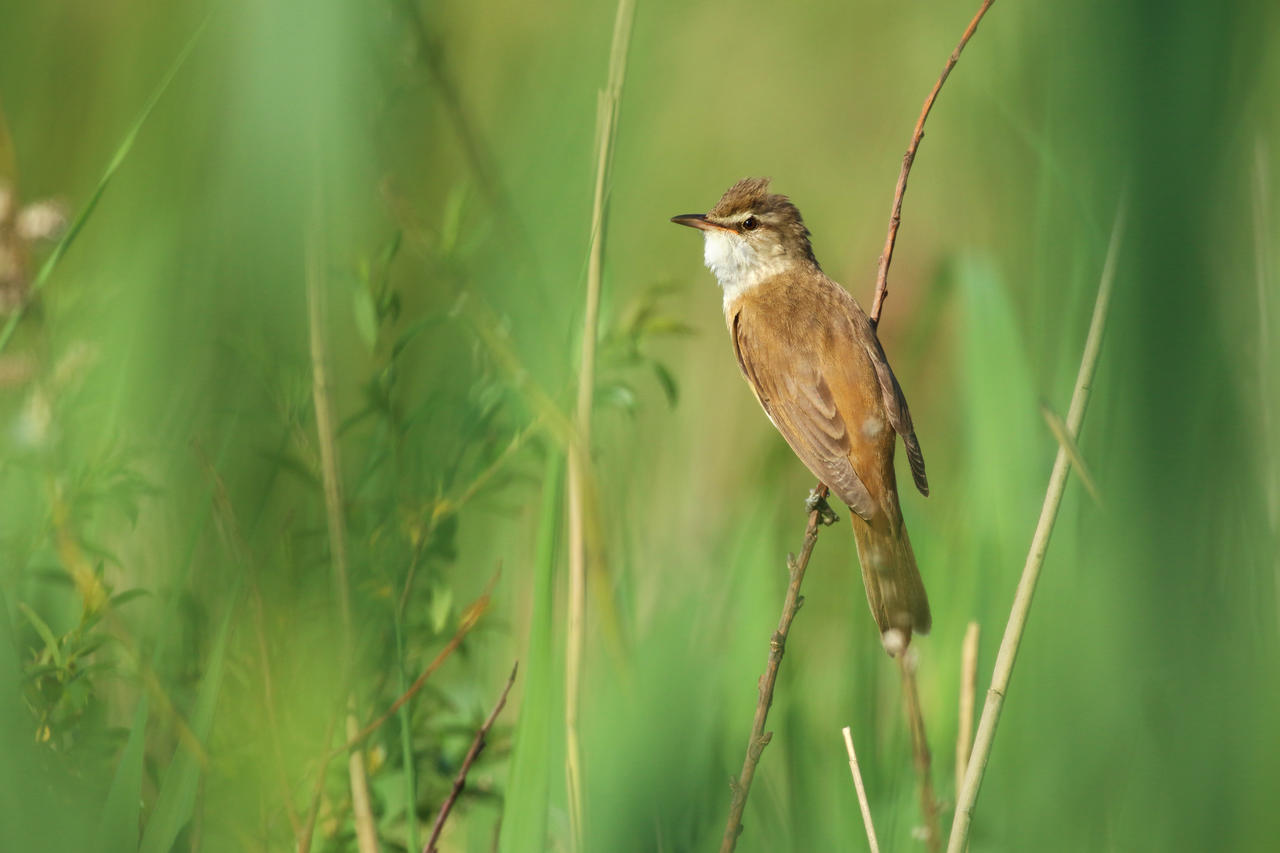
<point x="580" y="448"/>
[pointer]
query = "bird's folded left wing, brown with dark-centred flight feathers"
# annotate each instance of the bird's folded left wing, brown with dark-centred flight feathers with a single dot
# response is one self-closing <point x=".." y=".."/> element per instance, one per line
<point x="802" y="407"/>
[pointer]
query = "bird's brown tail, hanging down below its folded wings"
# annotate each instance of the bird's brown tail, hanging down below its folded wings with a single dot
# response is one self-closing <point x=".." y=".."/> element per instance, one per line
<point x="894" y="587"/>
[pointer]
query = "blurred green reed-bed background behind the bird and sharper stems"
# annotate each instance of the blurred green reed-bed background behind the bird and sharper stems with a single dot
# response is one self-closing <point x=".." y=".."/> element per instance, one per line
<point x="173" y="664"/>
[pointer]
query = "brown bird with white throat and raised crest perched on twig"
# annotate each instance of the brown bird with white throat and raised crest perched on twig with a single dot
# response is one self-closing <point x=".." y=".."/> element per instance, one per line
<point x="813" y="361"/>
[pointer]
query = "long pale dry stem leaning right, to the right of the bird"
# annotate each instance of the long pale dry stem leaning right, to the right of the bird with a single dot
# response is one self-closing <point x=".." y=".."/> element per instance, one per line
<point x="1013" y="638"/>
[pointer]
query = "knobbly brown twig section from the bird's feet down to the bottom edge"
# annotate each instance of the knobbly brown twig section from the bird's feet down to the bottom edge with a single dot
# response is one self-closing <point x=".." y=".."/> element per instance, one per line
<point x="760" y="740"/>
